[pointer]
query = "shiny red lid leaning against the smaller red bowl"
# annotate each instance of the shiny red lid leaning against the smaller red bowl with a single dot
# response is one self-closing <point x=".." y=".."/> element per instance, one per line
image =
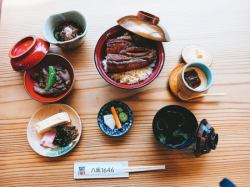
<point x="27" y="53"/>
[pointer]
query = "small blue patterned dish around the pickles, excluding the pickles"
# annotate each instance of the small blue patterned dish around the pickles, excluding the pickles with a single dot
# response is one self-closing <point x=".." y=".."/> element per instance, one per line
<point x="106" y="110"/>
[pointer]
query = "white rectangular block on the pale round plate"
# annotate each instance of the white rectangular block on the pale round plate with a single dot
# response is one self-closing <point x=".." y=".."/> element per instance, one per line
<point x="52" y="121"/>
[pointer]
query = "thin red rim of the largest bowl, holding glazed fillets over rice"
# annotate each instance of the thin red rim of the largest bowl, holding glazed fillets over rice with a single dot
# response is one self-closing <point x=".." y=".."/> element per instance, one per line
<point x="152" y="77"/>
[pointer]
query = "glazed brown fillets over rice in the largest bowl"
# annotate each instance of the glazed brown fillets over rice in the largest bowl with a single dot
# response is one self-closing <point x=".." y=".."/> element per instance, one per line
<point x="129" y="58"/>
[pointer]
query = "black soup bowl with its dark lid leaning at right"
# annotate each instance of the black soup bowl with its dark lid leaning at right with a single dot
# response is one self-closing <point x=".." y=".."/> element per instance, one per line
<point x="177" y="128"/>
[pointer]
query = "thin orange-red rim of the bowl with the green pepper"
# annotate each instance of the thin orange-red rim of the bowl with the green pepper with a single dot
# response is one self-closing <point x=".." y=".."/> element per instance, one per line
<point x="60" y="97"/>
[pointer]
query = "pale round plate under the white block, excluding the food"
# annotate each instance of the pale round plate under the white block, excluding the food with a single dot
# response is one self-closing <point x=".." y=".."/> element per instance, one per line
<point x="45" y="112"/>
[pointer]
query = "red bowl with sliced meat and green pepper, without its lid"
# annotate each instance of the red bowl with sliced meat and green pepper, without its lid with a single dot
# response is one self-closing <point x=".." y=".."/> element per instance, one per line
<point x="51" y="80"/>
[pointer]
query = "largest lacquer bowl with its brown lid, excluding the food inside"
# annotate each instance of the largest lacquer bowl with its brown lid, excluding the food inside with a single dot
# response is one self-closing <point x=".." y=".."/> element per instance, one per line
<point x="143" y="25"/>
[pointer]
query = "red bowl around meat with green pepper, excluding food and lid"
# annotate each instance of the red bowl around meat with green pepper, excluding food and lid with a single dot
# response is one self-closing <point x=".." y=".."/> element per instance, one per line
<point x="49" y="59"/>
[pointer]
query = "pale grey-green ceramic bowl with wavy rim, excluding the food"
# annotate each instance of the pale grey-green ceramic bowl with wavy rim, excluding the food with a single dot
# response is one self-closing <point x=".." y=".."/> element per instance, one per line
<point x="54" y="20"/>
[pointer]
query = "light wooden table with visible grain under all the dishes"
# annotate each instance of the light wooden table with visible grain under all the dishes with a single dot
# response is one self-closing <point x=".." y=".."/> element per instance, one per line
<point x="222" y="27"/>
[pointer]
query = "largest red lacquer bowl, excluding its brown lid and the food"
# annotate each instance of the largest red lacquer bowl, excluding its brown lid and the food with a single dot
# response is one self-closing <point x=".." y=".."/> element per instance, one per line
<point x="100" y="53"/>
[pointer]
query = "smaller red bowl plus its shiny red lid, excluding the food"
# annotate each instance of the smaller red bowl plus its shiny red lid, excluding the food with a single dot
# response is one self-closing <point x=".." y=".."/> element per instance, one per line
<point x="30" y="54"/>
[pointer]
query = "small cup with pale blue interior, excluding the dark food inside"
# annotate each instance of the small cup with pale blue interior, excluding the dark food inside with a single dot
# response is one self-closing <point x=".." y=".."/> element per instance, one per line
<point x="205" y="76"/>
